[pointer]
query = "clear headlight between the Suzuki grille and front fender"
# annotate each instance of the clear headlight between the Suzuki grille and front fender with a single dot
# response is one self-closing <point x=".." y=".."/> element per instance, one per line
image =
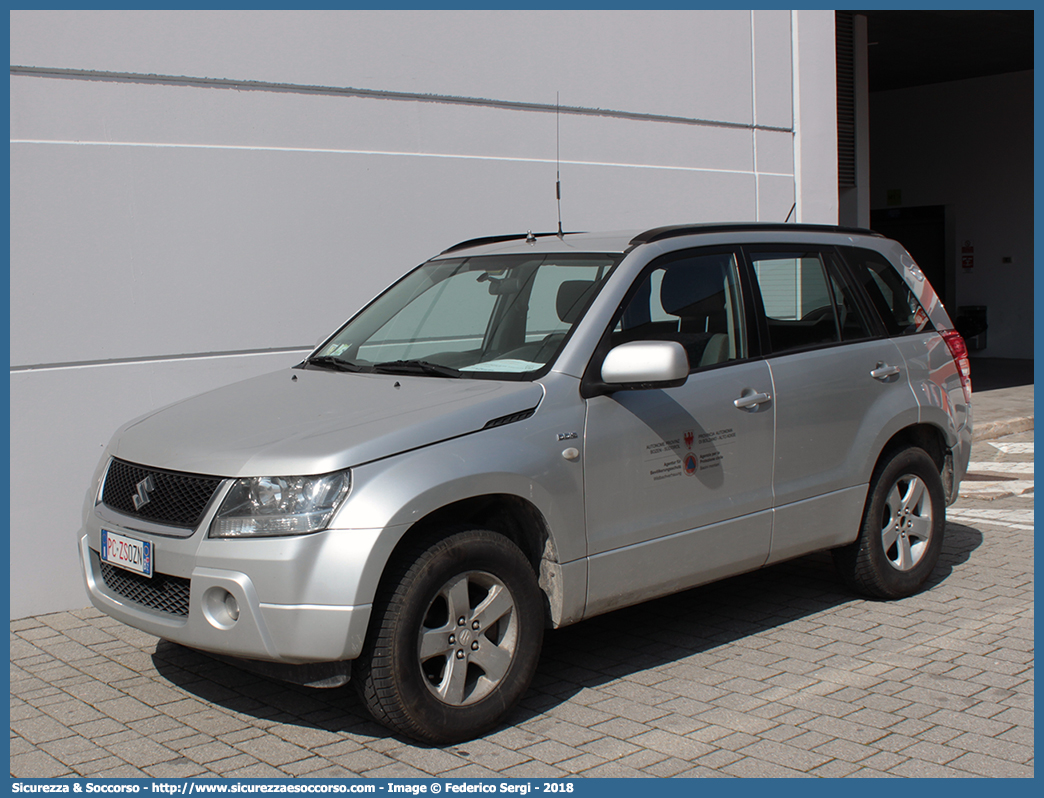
<point x="270" y="506"/>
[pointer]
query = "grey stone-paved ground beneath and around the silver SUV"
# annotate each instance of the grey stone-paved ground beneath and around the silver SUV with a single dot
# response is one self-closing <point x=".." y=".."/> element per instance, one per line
<point x="779" y="673"/>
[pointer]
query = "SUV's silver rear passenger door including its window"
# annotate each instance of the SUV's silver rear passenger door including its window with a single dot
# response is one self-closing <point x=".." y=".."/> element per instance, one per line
<point x="842" y="390"/>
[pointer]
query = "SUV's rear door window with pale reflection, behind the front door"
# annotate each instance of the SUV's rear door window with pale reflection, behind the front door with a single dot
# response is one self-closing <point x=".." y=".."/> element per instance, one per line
<point x="805" y="299"/>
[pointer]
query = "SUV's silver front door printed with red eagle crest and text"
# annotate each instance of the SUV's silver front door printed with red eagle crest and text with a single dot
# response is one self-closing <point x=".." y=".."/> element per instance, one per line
<point x="679" y="481"/>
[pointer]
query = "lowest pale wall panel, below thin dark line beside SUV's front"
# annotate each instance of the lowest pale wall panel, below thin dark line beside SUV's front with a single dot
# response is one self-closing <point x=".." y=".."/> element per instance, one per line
<point x="61" y="420"/>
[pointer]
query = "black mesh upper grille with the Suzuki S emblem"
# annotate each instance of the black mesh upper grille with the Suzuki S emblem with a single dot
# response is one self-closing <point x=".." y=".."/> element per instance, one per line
<point x="175" y="500"/>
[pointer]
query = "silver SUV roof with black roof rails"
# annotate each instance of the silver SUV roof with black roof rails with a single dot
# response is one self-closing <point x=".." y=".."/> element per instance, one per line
<point x="622" y="242"/>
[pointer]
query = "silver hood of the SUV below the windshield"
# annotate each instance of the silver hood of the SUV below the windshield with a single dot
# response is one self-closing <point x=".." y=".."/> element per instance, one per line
<point x="311" y="423"/>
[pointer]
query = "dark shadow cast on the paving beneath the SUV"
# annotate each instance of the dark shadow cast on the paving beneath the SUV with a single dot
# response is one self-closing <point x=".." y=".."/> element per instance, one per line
<point x="588" y="655"/>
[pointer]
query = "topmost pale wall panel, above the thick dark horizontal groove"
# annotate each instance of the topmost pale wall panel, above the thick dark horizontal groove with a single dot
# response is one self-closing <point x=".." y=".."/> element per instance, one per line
<point x="677" y="63"/>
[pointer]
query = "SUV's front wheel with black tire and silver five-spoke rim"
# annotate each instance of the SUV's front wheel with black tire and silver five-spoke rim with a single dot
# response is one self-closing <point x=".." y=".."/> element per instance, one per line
<point x="455" y="639"/>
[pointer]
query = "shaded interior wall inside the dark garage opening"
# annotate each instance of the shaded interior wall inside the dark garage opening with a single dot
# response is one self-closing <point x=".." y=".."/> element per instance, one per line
<point x="969" y="145"/>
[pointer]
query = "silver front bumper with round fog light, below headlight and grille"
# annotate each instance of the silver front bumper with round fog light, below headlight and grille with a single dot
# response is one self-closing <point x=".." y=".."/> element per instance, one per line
<point x="282" y="591"/>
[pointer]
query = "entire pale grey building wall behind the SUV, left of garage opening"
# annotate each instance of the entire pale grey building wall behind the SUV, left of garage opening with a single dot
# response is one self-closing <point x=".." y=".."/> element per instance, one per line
<point x="198" y="197"/>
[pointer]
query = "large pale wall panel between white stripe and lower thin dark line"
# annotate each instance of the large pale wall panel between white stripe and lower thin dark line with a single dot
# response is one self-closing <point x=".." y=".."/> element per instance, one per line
<point x="188" y="251"/>
